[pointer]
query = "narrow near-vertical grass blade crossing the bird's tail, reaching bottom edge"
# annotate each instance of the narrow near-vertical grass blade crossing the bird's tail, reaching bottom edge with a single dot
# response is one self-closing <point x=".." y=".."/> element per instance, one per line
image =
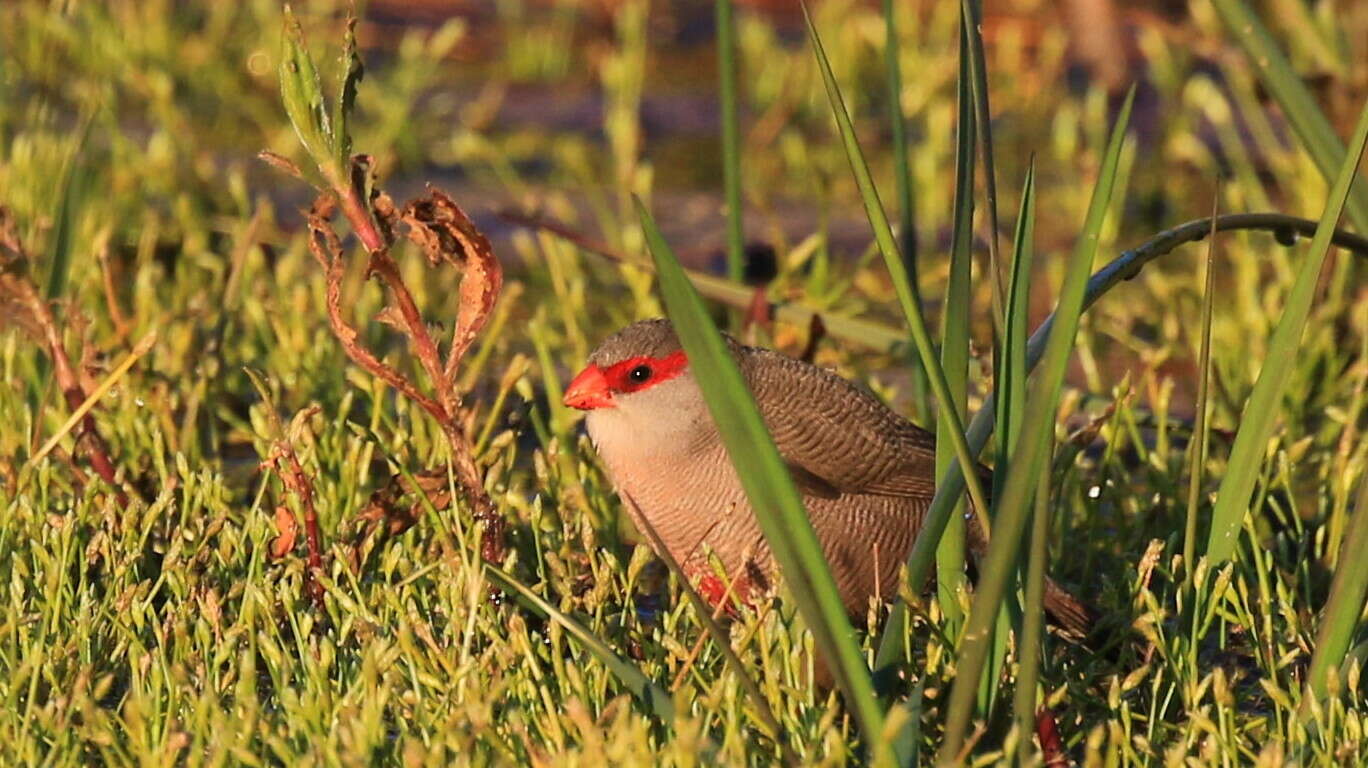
<point x="1034" y="619"/>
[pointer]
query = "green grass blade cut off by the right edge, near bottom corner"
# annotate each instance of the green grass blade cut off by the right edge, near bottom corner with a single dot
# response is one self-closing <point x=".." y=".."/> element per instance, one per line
<point x="1345" y="606"/>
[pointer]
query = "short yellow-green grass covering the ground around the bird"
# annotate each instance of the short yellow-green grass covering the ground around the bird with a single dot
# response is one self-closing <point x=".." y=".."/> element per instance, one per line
<point x="163" y="630"/>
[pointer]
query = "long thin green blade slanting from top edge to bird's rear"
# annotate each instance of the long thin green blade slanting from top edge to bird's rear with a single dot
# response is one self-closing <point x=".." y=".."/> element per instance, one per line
<point x="894" y="262"/>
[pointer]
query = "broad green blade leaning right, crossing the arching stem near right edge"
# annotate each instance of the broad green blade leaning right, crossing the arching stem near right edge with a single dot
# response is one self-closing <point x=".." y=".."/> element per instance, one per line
<point x="1265" y="403"/>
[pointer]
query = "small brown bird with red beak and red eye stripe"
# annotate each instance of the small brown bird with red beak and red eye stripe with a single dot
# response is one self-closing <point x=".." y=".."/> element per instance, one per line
<point x="867" y="474"/>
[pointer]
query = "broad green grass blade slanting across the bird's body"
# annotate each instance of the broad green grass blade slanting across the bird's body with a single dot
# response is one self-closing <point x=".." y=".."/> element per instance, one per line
<point x="768" y="485"/>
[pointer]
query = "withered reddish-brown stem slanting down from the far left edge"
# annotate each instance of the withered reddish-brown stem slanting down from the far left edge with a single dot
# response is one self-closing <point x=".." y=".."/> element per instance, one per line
<point x="23" y="305"/>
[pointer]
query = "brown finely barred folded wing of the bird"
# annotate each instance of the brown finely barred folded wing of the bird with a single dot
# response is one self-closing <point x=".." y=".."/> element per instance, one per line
<point x="837" y="436"/>
